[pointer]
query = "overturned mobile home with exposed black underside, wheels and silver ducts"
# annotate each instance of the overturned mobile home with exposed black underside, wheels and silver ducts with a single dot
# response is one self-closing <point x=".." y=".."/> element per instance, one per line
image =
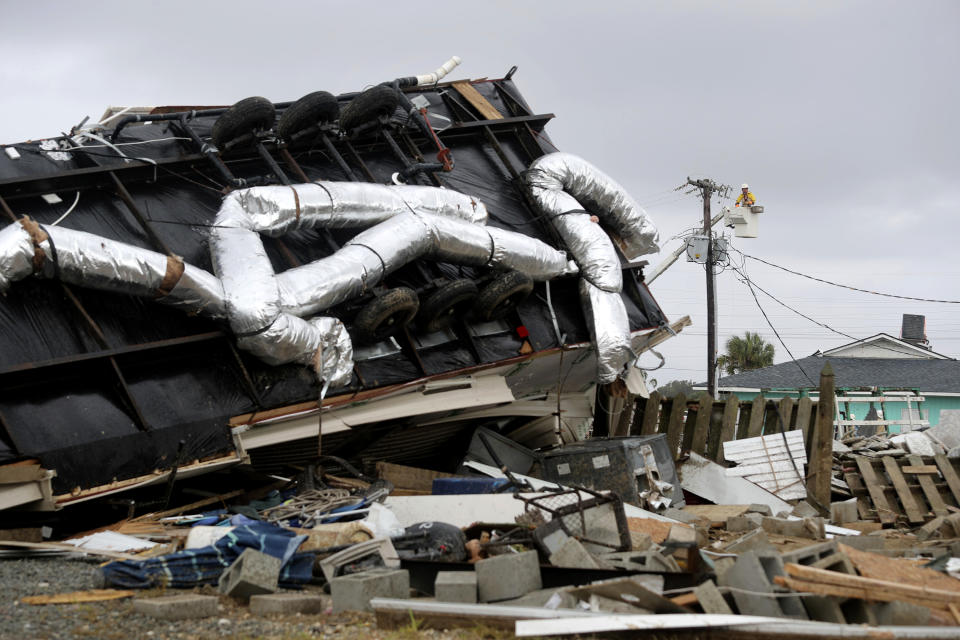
<point x="186" y="289"/>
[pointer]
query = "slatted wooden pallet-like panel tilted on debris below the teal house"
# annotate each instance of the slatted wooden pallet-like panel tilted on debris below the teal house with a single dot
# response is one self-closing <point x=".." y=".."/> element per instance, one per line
<point x="910" y="490"/>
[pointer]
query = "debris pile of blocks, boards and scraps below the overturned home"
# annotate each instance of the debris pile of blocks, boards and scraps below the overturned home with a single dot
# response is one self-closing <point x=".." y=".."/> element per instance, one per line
<point x="688" y="545"/>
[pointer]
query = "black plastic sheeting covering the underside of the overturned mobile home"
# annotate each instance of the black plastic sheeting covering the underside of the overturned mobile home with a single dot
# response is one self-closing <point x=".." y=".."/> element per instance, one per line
<point x="100" y="419"/>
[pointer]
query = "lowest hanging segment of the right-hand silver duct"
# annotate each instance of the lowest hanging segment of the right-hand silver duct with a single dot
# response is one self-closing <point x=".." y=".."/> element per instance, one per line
<point x="610" y="327"/>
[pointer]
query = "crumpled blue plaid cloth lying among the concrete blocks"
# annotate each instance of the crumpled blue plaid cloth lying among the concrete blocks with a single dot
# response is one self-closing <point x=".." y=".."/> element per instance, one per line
<point x="194" y="567"/>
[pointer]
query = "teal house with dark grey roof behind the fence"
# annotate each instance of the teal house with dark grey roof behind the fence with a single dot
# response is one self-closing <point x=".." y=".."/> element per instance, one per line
<point x="894" y="383"/>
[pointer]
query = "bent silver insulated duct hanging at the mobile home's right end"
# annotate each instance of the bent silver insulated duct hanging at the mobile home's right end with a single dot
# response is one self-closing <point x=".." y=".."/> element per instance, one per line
<point x="568" y="190"/>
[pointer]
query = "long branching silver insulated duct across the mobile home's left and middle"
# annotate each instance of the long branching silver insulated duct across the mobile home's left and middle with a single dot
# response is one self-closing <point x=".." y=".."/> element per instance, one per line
<point x="266" y="310"/>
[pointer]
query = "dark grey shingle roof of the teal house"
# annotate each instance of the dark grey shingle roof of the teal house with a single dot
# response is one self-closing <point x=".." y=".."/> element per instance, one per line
<point x="937" y="375"/>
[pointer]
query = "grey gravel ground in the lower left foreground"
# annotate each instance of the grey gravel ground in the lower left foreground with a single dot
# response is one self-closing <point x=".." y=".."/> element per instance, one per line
<point x="116" y="619"/>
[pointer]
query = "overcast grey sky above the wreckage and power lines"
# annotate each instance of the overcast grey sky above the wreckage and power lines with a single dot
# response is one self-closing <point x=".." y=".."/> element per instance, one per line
<point x="841" y="115"/>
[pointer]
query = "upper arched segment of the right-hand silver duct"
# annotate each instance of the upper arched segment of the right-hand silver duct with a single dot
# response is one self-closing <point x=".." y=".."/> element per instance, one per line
<point x="598" y="193"/>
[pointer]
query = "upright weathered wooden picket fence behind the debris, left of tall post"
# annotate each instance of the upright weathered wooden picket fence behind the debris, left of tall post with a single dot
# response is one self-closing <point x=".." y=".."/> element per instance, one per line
<point x="700" y="423"/>
